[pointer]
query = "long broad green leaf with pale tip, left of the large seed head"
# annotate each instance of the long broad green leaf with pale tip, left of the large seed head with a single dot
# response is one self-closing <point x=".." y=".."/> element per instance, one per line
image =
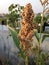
<point x="16" y="41"/>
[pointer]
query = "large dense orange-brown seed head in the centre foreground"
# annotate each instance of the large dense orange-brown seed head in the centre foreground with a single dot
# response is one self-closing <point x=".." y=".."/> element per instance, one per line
<point x="26" y="32"/>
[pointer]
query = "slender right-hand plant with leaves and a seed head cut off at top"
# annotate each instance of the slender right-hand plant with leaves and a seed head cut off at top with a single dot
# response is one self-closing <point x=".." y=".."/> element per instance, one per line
<point x="40" y="56"/>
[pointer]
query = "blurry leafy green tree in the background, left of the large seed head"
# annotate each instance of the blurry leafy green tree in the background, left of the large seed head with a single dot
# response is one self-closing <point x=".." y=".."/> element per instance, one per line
<point x="14" y="15"/>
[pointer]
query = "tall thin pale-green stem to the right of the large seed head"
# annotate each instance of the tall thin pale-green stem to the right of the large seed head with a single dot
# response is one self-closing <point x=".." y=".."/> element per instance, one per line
<point x="38" y="57"/>
